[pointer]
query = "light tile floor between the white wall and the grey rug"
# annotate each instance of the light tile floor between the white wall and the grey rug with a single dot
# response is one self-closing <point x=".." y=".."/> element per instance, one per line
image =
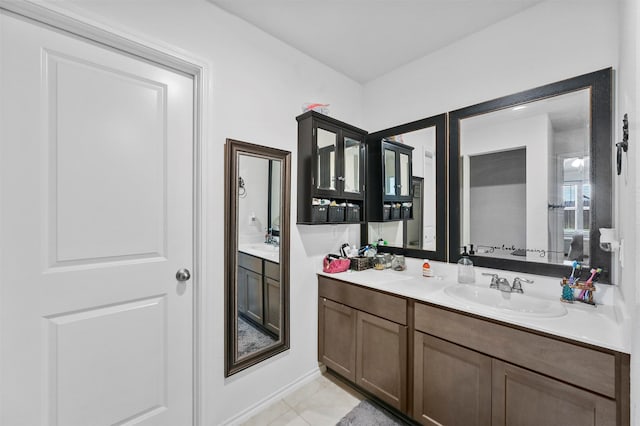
<point x="322" y="402"/>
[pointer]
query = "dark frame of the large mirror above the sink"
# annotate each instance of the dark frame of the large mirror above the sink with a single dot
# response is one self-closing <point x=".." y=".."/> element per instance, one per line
<point x="601" y="145"/>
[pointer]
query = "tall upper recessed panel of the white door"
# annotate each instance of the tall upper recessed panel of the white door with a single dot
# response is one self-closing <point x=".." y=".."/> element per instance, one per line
<point x="95" y="115"/>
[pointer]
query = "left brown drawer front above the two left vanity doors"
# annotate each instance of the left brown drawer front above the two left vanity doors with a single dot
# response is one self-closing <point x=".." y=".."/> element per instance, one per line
<point x="380" y="304"/>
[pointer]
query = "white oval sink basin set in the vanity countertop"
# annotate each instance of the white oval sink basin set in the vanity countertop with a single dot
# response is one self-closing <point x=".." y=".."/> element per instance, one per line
<point x="514" y="304"/>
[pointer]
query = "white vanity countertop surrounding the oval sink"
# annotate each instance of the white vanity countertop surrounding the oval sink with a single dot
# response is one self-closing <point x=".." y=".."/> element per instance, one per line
<point x="600" y="325"/>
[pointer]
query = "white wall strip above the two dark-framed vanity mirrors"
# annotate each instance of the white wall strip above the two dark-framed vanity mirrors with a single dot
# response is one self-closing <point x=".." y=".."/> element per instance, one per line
<point x="549" y="42"/>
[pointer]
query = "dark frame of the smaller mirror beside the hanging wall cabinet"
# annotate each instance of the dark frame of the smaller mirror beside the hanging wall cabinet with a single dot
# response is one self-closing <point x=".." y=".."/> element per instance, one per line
<point x="440" y="124"/>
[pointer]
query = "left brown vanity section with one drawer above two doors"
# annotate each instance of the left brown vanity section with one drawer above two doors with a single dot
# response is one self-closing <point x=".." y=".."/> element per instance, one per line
<point x="362" y="335"/>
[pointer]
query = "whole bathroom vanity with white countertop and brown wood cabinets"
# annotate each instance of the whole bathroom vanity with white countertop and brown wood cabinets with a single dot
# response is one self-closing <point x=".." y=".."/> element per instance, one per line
<point x="439" y="359"/>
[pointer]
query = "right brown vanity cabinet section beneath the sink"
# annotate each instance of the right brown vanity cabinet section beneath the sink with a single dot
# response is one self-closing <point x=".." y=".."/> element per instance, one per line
<point x="470" y="371"/>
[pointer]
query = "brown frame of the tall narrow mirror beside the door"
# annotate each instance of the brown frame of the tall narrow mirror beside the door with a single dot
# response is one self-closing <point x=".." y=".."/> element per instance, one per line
<point x="233" y="149"/>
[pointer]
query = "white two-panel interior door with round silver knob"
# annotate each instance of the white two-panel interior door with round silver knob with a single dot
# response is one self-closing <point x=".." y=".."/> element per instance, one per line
<point x="96" y="204"/>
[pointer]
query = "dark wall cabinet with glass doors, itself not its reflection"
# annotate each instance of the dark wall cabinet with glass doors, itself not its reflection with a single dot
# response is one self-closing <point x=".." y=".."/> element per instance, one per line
<point x="331" y="156"/>
